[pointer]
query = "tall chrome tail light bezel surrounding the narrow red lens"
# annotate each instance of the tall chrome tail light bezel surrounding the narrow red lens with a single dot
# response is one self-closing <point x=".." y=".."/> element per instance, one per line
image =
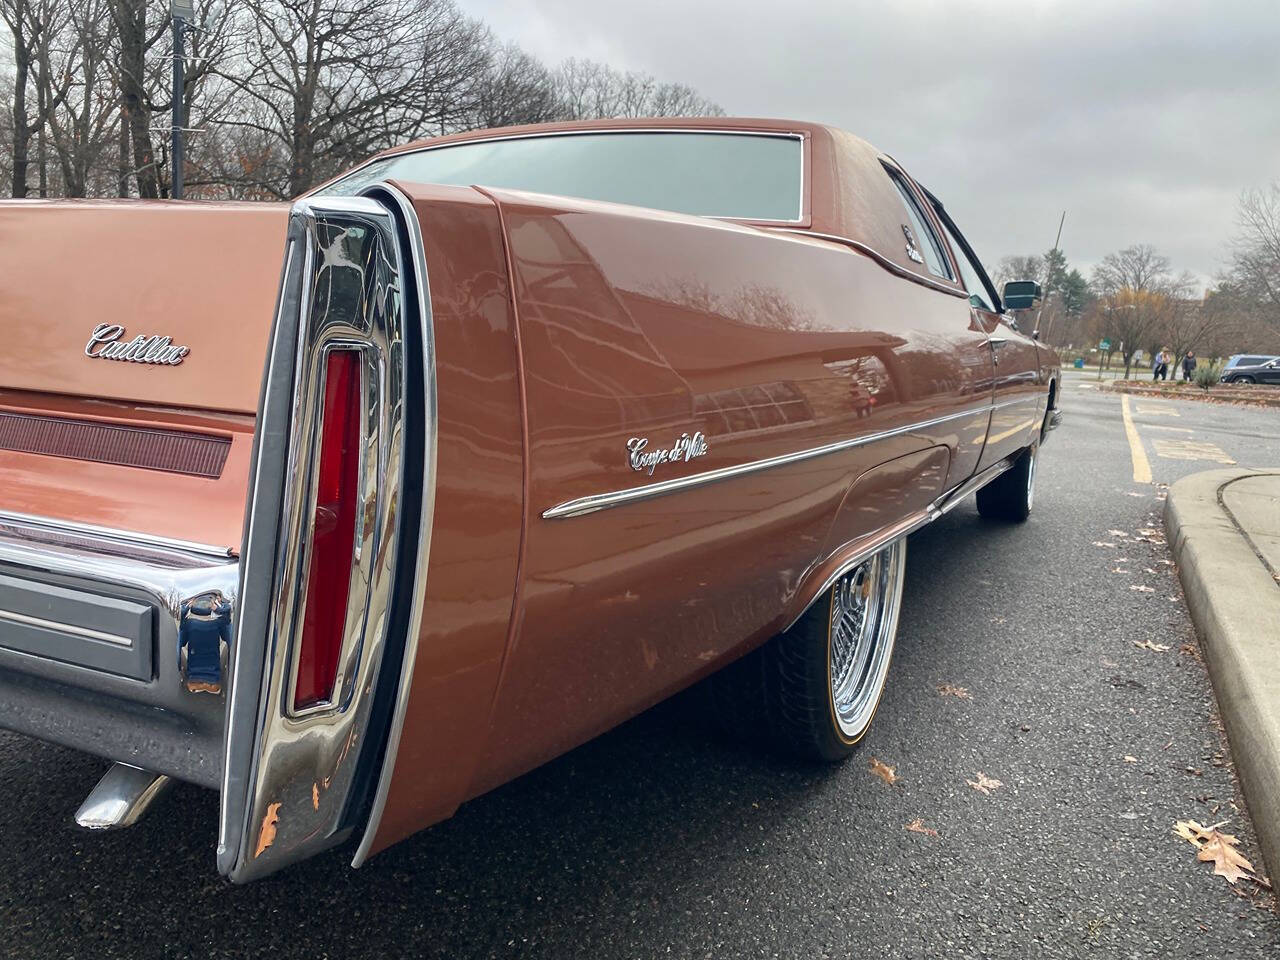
<point x="300" y="780"/>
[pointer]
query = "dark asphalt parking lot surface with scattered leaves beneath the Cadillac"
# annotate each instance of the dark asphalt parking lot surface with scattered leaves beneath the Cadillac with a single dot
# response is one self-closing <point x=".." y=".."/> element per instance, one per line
<point x="666" y="839"/>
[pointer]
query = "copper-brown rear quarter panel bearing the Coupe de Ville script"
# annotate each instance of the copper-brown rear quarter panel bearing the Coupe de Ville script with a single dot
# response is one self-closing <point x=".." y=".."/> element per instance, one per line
<point x="647" y="324"/>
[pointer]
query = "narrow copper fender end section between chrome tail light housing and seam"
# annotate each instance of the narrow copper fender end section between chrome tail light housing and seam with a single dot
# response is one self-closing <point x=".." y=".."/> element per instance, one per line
<point x="478" y="516"/>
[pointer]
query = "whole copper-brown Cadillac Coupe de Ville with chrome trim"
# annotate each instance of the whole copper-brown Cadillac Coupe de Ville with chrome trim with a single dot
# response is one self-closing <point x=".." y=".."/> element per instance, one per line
<point x="356" y="509"/>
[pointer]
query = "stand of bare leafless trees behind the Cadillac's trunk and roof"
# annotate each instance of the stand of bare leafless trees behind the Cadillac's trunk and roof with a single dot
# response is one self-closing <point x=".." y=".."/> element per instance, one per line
<point x="278" y="95"/>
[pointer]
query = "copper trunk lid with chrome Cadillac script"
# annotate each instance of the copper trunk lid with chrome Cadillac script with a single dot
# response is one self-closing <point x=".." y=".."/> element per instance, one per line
<point x="163" y="304"/>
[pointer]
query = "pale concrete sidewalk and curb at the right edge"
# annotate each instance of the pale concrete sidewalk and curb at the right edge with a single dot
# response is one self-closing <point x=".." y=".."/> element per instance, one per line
<point x="1224" y="529"/>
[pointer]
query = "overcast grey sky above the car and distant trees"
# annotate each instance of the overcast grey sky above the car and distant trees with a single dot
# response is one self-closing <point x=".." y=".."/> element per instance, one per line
<point x="1144" y="121"/>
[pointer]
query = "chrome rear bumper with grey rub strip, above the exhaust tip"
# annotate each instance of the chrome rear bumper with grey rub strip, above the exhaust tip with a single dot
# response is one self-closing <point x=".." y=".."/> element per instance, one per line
<point x="116" y="644"/>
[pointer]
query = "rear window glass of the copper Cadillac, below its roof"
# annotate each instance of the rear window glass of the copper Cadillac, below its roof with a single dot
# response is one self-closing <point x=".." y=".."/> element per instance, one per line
<point x="734" y="176"/>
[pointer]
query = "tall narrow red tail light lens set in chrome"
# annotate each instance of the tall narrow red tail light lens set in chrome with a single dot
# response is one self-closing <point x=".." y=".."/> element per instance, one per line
<point x="333" y="532"/>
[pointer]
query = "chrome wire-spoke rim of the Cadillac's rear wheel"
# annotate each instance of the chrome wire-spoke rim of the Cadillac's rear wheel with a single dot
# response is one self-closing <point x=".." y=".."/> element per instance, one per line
<point x="863" y="621"/>
